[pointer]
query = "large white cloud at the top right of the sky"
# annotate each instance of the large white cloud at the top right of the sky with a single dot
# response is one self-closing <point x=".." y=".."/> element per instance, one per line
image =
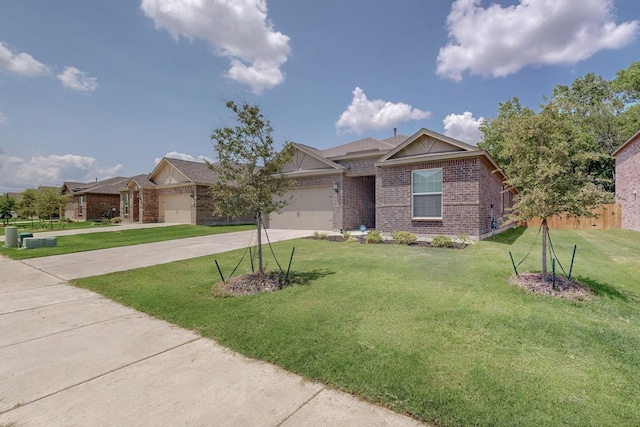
<point x="497" y="41"/>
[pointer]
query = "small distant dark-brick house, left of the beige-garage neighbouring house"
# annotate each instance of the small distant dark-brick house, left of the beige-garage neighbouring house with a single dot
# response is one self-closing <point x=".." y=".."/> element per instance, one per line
<point x="94" y="200"/>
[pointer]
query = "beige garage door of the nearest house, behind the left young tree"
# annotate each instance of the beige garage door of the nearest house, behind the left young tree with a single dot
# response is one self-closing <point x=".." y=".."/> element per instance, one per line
<point x="310" y="209"/>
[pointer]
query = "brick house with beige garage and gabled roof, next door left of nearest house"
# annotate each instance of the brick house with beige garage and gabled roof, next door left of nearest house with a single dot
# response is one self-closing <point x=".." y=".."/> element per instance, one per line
<point x="176" y="191"/>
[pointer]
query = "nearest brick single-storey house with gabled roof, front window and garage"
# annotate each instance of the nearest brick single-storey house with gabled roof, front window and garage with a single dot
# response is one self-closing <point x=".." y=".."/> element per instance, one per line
<point x="427" y="184"/>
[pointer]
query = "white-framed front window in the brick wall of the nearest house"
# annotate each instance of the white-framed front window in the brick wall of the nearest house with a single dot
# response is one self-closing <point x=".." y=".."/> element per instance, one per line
<point x="426" y="194"/>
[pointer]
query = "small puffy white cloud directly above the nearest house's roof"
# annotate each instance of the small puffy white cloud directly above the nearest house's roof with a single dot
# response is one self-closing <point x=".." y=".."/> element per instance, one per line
<point x="364" y="115"/>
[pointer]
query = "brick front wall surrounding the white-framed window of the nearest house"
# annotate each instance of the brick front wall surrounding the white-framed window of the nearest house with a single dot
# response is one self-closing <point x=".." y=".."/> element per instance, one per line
<point x="463" y="209"/>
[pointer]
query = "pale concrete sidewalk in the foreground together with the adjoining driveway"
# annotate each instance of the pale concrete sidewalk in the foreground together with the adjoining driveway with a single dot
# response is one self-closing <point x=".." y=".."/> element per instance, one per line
<point x="69" y="357"/>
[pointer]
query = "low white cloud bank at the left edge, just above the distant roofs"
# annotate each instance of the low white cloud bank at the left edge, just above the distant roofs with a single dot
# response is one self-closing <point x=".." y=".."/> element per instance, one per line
<point x="17" y="174"/>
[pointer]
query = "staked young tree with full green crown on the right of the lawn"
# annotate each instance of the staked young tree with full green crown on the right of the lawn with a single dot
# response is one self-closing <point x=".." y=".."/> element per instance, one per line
<point x="545" y="157"/>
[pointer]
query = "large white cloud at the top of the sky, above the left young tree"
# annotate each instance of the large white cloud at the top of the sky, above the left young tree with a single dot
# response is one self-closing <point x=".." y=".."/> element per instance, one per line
<point x="239" y="30"/>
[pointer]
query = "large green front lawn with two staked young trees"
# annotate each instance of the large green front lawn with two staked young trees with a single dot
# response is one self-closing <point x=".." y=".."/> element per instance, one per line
<point x="435" y="333"/>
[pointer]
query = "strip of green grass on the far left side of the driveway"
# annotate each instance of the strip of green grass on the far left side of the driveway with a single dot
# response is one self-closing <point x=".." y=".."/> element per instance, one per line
<point x="117" y="238"/>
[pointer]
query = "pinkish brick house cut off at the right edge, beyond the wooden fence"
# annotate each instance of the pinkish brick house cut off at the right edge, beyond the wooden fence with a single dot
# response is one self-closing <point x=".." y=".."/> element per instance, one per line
<point x="628" y="181"/>
